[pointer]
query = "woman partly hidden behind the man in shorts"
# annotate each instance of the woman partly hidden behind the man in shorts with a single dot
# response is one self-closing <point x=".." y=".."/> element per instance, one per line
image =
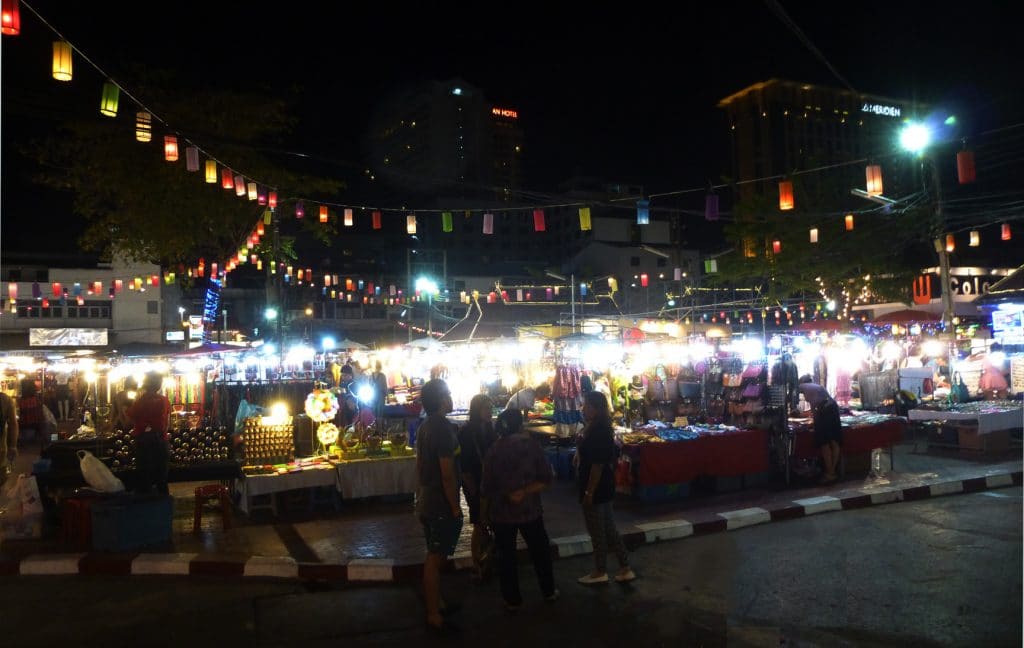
<point x="476" y="440"/>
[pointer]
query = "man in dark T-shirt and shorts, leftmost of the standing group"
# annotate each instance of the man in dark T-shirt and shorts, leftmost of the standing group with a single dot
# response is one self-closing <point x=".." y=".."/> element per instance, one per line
<point x="438" y="503"/>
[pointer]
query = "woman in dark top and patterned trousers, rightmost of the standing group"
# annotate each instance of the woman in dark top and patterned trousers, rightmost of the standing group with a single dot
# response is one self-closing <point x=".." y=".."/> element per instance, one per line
<point x="599" y="454"/>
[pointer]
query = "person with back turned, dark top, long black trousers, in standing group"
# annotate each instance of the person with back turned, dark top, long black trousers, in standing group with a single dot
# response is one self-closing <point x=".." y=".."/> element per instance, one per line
<point x="516" y="472"/>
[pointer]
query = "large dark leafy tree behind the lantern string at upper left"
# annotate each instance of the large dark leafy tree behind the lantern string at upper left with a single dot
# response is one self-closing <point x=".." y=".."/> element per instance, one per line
<point x="145" y="208"/>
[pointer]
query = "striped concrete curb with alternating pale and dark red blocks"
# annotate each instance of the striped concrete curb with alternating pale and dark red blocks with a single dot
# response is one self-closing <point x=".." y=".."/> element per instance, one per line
<point x="387" y="571"/>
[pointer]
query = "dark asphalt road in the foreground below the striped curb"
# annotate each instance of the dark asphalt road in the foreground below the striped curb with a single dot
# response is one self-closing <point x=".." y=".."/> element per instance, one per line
<point x="945" y="572"/>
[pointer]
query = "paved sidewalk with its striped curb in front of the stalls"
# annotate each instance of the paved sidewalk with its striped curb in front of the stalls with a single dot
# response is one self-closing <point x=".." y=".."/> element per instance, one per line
<point x="378" y="541"/>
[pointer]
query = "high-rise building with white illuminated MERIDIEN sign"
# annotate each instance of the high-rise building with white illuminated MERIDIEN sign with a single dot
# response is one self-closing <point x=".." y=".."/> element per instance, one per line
<point x="778" y="127"/>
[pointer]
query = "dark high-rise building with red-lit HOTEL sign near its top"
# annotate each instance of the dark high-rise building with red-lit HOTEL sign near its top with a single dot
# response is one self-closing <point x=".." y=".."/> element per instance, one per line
<point x="446" y="138"/>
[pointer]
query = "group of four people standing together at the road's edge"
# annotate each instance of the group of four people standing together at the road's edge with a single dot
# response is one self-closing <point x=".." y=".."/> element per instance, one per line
<point x="502" y="472"/>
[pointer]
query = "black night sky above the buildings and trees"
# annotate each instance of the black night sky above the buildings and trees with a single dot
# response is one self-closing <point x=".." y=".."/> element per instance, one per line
<point x="624" y="95"/>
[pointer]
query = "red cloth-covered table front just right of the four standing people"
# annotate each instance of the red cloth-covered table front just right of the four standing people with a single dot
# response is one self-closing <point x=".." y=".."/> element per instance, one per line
<point x="732" y="454"/>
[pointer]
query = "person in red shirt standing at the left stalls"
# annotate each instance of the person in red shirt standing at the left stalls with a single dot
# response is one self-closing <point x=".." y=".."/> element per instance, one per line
<point x="150" y="416"/>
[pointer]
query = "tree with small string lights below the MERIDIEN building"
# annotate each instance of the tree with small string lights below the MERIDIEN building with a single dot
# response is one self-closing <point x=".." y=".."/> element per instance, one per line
<point x="880" y="256"/>
